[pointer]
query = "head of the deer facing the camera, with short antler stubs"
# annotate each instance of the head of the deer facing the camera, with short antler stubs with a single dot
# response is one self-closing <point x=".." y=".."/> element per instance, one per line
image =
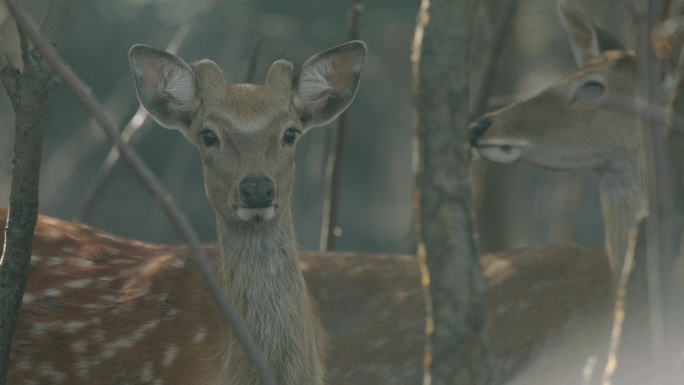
<point x="246" y="134"/>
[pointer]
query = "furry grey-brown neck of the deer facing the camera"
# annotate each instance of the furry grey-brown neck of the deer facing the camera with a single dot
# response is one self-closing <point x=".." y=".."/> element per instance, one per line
<point x="259" y="266"/>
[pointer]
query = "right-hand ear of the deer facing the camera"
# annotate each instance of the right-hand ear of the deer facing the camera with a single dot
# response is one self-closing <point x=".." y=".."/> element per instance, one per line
<point x="327" y="83"/>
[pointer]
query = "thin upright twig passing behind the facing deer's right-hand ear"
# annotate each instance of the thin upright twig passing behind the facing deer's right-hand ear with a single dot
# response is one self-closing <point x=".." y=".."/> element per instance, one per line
<point x="331" y="198"/>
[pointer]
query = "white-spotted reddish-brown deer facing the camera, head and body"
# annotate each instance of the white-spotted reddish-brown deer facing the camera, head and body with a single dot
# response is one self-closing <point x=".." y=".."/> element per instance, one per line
<point x="99" y="309"/>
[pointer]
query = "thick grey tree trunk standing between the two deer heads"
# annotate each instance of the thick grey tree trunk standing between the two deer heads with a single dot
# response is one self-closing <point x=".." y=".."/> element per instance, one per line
<point x="442" y="193"/>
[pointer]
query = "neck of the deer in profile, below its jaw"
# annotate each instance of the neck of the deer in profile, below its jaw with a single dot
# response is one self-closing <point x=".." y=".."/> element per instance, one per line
<point x="623" y="194"/>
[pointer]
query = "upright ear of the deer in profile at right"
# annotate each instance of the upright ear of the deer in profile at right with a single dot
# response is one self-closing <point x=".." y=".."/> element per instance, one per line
<point x="586" y="39"/>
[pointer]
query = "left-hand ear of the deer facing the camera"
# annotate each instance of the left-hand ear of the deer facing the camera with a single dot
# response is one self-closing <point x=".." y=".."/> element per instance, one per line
<point x="166" y="86"/>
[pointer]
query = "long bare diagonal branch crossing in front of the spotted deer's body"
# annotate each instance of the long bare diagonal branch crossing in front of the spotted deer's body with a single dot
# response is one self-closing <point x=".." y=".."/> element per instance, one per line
<point x="145" y="175"/>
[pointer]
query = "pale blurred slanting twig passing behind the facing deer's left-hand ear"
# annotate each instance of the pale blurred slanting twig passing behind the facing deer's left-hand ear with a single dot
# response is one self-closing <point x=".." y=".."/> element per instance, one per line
<point x="134" y="129"/>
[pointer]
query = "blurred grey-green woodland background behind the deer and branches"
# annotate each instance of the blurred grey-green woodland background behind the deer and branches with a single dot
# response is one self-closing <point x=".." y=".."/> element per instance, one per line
<point x="518" y="206"/>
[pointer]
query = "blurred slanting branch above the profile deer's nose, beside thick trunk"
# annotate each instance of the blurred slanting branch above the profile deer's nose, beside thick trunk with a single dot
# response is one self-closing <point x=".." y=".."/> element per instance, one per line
<point x="491" y="61"/>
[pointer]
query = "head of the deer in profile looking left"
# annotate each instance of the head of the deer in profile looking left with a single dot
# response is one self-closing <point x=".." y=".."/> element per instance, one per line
<point x="586" y="120"/>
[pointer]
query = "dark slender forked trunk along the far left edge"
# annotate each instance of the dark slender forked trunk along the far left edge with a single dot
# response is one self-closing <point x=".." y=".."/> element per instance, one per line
<point x="29" y="92"/>
